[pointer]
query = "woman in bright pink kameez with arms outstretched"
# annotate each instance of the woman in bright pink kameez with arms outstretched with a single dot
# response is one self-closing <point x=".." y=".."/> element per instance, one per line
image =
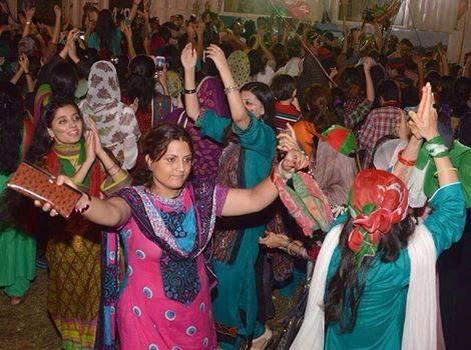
<point x="165" y="225"/>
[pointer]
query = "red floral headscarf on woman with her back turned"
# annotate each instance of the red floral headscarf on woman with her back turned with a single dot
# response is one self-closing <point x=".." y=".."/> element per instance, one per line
<point x="378" y="200"/>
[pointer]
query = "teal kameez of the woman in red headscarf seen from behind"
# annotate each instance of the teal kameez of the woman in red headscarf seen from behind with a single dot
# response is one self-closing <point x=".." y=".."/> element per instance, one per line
<point x="381" y="311"/>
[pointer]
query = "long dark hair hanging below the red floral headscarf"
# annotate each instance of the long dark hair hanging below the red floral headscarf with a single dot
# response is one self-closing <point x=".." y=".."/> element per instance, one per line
<point x="346" y="287"/>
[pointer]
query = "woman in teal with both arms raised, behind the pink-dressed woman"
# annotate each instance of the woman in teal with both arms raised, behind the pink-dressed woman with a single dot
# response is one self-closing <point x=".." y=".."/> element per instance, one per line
<point x="251" y="151"/>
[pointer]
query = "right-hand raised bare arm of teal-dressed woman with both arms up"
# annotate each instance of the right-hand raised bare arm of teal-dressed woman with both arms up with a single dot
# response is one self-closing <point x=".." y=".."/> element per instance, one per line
<point x="238" y="112"/>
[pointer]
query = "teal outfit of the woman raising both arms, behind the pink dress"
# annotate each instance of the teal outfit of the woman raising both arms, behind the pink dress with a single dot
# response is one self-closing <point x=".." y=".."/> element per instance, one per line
<point x="235" y="300"/>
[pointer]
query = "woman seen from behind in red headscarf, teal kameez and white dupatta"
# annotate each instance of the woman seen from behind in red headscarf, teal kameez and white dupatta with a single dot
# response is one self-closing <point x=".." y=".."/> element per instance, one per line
<point x="374" y="284"/>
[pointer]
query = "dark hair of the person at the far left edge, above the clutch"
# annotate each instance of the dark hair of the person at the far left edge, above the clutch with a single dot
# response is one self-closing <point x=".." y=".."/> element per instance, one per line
<point x="11" y="126"/>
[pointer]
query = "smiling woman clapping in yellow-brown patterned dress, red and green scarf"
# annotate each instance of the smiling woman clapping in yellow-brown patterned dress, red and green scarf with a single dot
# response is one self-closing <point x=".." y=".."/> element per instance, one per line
<point x="62" y="146"/>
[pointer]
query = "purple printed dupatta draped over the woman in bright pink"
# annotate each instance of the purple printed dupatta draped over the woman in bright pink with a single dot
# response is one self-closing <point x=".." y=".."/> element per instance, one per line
<point x="112" y="280"/>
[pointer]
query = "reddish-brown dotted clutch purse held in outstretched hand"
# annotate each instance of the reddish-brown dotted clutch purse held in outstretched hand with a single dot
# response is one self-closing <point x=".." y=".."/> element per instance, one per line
<point x="36" y="183"/>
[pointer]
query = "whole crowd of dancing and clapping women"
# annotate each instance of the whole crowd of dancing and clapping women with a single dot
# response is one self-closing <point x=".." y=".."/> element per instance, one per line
<point x="216" y="164"/>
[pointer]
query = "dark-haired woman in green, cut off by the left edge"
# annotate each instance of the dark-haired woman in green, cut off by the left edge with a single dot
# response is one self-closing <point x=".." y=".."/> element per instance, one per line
<point x="17" y="248"/>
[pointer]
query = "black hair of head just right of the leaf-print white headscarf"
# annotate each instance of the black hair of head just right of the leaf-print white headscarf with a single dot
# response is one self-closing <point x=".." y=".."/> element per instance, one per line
<point x="140" y="82"/>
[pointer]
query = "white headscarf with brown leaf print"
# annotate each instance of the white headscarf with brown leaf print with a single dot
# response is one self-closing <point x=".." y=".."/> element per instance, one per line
<point x="116" y="122"/>
